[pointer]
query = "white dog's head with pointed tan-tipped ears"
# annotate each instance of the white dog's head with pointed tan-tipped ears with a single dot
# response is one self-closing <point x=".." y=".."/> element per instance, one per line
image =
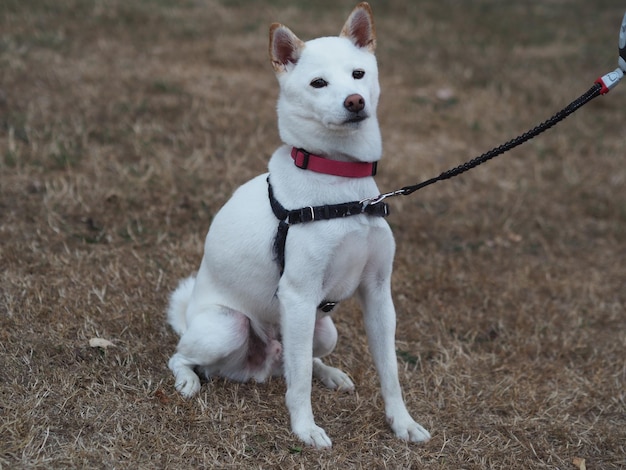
<point x="329" y="89"/>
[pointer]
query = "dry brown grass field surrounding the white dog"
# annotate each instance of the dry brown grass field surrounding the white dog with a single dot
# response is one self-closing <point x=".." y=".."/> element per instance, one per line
<point x="125" y="125"/>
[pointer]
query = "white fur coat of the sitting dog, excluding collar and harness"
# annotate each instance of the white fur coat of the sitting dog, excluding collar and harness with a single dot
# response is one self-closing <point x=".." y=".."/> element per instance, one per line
<point x="233" y="316"/>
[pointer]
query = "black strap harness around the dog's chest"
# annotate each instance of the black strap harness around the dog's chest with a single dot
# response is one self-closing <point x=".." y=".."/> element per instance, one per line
<point x="287" y="217"/>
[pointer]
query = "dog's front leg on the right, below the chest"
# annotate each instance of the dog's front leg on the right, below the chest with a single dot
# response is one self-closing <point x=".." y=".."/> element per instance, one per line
<point x="380" y="323"/>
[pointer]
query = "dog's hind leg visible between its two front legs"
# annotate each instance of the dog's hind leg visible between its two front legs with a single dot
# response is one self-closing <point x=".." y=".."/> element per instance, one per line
<point x="324" y="341"/>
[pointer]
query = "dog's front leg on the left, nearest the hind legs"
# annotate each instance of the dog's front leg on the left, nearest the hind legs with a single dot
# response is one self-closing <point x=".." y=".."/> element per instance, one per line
<point x="298" y="325"/>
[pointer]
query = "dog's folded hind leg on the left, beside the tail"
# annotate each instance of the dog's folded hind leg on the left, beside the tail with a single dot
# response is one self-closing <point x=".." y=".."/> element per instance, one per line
<point x="215" y="339"/>
